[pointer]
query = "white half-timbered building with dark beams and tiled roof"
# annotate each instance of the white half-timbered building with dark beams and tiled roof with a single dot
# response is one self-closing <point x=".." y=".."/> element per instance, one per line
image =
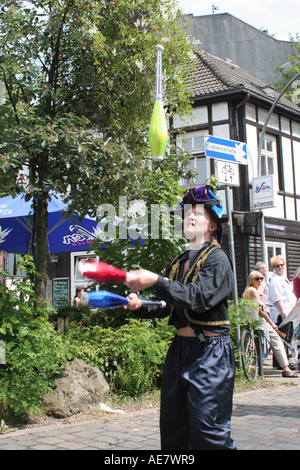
<point x="230" y="103"/>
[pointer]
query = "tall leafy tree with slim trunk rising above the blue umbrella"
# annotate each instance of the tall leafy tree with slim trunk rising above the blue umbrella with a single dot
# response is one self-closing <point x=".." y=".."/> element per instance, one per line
<point x="79" y="77"/>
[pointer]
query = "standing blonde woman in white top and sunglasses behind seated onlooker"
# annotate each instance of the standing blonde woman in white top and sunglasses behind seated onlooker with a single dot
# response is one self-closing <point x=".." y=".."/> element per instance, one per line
<point x="281" y="295"/>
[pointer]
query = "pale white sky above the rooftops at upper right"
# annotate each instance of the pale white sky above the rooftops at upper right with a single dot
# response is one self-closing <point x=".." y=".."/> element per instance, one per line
<point x="279" y="17"/>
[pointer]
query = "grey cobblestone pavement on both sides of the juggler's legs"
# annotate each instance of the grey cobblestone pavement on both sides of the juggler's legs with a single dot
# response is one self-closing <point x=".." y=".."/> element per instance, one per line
<point x="264" y="419"/>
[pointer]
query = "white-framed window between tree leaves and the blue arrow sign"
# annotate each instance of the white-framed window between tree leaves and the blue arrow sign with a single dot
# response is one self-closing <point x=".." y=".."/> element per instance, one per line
<point x="198" y="156"/>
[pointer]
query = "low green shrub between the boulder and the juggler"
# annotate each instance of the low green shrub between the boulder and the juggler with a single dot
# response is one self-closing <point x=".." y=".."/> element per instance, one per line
<point x="131" y="357"/>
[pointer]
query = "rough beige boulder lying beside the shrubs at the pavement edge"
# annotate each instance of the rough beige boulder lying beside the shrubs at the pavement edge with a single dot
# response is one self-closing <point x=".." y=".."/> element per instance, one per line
<point x="78" y="387"/>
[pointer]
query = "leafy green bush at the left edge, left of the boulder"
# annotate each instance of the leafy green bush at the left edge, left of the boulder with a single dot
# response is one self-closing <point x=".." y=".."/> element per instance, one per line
<point x="34" y="351"/>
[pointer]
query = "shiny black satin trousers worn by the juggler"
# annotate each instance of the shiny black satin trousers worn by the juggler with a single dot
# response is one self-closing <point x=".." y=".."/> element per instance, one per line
<point x="197" y="390"/>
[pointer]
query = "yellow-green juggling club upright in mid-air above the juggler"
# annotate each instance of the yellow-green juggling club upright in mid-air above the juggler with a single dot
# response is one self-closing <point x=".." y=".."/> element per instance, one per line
<point x="158" y="131"/>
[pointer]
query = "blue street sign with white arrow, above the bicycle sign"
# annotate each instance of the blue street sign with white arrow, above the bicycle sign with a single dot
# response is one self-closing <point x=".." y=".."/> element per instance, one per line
<point x="225" y="149"/>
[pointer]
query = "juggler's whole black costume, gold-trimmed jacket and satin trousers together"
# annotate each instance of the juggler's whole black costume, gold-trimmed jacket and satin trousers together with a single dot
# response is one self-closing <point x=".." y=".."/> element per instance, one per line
<point x="198" y="377"/>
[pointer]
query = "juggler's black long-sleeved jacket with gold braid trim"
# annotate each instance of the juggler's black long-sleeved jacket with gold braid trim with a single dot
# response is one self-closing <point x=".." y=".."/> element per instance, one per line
<point x="200" y="298"/>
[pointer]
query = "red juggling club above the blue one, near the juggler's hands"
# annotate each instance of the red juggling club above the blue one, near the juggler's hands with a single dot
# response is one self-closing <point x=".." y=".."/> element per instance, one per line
<point x="101" y="272"/>
